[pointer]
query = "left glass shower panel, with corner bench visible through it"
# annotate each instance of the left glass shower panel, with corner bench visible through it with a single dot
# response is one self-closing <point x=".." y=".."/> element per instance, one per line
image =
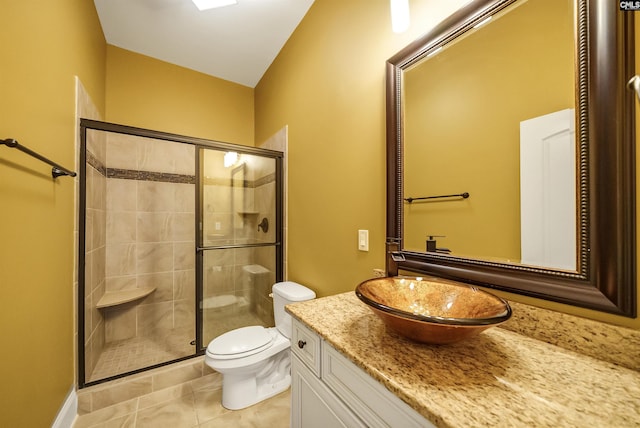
<point x="137" y="273"/>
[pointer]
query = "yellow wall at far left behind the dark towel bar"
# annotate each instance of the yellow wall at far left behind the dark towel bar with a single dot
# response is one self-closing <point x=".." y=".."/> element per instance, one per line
<point x="42" y="46"/>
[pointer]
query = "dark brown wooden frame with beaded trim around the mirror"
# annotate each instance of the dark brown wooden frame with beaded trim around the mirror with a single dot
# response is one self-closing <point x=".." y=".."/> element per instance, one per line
<point x="606" y="277"/>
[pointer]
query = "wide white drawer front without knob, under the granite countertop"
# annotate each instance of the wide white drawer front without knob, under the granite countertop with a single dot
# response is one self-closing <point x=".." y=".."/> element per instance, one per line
<point x="370" y="400"/>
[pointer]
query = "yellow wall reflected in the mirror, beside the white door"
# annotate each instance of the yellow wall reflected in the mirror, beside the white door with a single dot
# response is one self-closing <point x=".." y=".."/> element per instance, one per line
<point x="463" y="109"/>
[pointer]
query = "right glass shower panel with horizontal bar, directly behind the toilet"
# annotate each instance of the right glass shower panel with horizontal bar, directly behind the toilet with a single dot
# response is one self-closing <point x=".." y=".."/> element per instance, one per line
<point x="240" y="240"/>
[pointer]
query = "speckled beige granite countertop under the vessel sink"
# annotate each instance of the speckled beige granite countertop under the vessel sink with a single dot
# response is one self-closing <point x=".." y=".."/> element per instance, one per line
<point x="499" y="378"/>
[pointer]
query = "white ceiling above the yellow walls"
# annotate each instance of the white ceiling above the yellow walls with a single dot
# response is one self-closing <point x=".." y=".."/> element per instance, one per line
<point x="236" y="43"/>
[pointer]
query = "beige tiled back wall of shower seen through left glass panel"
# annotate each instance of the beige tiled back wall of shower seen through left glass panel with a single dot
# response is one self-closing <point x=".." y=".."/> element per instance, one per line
<point x="150" y="235"/>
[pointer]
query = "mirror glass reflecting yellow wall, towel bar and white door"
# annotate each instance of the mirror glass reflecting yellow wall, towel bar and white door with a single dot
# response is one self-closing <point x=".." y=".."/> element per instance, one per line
<point x="464" y="107"/>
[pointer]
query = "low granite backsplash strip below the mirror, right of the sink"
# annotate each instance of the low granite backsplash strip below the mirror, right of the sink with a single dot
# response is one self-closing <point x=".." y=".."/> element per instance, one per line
<point x="606" y="342"/>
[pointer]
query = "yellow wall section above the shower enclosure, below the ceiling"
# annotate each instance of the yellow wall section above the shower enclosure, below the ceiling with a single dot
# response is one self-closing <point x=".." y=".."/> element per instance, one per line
<point x="152" y="94"/>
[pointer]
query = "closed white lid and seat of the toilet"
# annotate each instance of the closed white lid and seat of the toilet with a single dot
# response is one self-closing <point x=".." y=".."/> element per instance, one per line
<point x="240" y="343"/>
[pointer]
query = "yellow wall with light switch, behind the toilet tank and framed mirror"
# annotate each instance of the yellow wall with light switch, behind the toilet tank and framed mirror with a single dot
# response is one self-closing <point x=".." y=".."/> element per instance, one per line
<point x="327" y="85"/>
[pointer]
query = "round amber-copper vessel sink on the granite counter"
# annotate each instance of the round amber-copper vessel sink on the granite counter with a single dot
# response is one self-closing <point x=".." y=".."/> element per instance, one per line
<point x="432" y="310"/>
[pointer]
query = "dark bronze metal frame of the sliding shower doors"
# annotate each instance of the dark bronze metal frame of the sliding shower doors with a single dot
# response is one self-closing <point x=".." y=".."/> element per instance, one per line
<point x="88" y="124"/>
